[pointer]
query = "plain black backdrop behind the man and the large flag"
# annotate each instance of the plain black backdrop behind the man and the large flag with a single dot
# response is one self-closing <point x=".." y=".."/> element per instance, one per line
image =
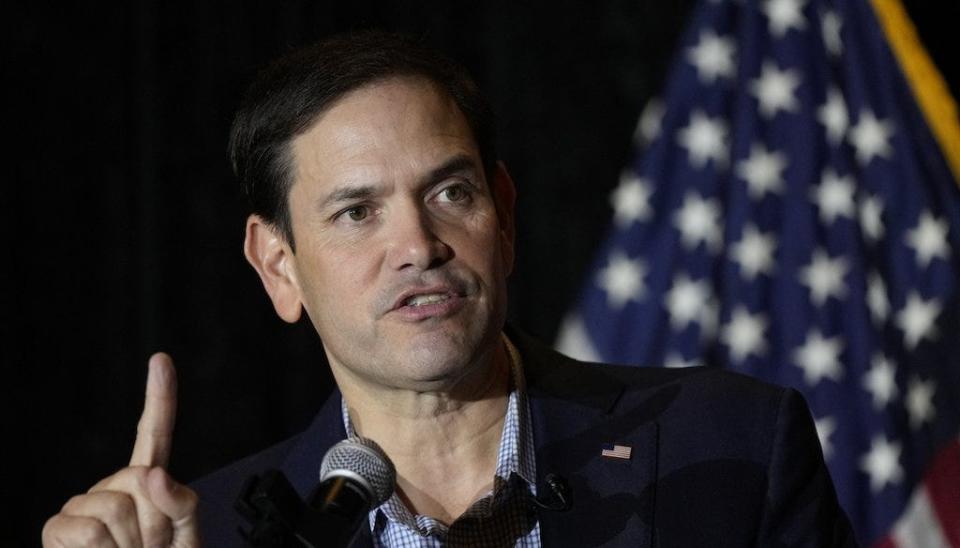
<point x="124" y="226"/>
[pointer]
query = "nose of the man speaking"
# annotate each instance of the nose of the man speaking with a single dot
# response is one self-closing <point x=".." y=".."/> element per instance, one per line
<point x="415" y="242"/>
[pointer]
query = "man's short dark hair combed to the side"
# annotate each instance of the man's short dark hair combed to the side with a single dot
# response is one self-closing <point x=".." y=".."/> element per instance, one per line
<point x="291" y="93"/>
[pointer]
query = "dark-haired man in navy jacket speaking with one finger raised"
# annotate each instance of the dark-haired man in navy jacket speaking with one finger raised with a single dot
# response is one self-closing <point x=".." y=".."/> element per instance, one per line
<point x="379" y="210"/>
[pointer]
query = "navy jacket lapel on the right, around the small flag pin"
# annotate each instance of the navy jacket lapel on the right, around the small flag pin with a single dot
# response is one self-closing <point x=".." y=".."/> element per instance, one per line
<point x="575" y="411"/>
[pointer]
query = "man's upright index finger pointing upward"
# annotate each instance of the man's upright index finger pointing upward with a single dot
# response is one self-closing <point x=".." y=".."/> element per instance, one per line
<point x="155" y="429"/>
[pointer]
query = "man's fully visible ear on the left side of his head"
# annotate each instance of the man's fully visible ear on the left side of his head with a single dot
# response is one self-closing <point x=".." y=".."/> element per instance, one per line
<point x="270" y="255"/>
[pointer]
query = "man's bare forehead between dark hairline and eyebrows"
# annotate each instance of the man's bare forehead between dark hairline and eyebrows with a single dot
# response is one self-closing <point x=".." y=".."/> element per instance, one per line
<point x="382" y="131"/>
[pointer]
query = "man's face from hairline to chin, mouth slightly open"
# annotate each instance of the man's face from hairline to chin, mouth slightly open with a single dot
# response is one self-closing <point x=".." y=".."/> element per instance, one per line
<point x="402" y="253"/>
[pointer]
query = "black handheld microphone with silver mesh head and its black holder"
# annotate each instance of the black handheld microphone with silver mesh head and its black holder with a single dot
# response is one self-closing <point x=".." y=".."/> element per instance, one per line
<point x="355" y="476"/>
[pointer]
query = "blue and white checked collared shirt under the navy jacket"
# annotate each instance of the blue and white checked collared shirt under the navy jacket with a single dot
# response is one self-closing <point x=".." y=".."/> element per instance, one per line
<point x="503" y="517"/>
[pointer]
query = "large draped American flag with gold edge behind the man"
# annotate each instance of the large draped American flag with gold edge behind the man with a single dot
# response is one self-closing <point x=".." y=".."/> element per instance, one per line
<point x="791" y="214"/>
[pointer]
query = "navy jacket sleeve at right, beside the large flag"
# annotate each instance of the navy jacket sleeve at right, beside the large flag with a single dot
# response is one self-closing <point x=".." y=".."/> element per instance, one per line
<point x="801" y="507"/>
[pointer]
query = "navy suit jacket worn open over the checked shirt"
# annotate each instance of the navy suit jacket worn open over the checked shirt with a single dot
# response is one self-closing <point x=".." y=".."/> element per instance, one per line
<point x="718" y="459"/>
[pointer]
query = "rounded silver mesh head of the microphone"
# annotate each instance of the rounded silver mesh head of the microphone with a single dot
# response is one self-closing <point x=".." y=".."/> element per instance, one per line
<point x="361" y="460"/>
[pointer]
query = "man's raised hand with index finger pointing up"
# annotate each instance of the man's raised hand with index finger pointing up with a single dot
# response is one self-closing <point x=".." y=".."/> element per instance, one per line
<point x="140" y="505"/>
